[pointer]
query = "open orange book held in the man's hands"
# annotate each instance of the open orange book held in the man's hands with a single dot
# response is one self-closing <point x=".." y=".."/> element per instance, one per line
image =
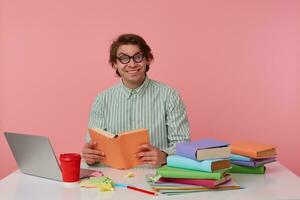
<point x="120" y="150"/>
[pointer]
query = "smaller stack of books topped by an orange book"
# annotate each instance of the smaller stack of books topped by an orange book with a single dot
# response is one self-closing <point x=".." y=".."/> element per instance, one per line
<point x="250" y="157"/>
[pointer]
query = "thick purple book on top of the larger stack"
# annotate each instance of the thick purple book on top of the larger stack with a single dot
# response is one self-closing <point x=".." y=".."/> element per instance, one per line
<point x="191" y="149"/>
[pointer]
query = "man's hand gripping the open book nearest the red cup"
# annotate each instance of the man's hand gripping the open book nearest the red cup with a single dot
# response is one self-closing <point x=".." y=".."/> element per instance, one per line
<point x="90" y="154"/>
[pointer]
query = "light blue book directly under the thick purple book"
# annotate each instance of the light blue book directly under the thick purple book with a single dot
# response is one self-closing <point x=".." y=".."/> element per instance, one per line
<point x="203" y="165"/>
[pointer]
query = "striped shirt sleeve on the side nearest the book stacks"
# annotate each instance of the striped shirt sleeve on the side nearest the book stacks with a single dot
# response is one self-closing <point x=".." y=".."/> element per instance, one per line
<point x="177" y="123"/>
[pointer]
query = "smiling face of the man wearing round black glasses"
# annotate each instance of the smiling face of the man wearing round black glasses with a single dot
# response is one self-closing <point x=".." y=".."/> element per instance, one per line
<point x="131" y="64"/>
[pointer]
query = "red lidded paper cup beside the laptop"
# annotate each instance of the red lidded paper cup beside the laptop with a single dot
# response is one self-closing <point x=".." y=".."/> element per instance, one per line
<point x="70" y="166"/>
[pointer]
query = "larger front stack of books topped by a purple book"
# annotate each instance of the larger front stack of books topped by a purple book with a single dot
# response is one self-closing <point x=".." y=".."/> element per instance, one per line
<point x="197" y="166"/>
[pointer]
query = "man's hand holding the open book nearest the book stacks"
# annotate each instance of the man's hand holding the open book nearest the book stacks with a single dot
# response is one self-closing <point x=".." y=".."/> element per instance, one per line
<point x="149" y="154"/>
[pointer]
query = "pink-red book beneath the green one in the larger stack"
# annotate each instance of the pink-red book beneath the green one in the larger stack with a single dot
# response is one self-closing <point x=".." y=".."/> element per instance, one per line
<point x="211" y="183"/>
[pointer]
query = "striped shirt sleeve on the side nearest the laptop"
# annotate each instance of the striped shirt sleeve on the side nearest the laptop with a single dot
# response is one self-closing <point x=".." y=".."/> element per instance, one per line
<point x="96" y="119"/>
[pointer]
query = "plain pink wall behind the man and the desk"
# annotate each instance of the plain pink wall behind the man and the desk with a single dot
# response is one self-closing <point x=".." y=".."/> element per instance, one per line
<point x="235" y="64"/>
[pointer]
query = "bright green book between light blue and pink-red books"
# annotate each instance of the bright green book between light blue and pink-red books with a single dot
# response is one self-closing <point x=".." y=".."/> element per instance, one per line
<point x="172" y="172"/>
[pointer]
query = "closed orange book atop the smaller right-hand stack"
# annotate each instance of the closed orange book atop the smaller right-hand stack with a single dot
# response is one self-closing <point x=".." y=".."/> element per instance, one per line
<point x="252" y="149"/>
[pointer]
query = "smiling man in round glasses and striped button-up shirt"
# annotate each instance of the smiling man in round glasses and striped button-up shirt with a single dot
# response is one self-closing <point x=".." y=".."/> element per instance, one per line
<point x="138" y="102"/>
